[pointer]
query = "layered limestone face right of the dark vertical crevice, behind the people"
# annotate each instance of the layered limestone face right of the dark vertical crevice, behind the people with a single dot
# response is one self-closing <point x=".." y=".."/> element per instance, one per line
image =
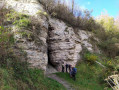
<point x="65" y="45"/>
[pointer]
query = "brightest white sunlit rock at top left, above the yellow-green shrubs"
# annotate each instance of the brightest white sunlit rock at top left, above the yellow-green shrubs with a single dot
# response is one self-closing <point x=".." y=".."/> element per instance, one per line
<point x="30" y="7"/>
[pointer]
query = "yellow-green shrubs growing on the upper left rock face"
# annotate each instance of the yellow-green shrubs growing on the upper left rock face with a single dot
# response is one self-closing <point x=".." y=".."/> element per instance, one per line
<point x="22" y="22"/>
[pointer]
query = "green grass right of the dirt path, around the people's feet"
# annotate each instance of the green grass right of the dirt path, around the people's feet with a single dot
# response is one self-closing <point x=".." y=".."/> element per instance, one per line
<point x="88" y="77"/>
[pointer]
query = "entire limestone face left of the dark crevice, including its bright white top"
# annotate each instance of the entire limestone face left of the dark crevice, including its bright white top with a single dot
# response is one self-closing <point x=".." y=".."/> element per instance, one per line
<point x="36" y="50"/>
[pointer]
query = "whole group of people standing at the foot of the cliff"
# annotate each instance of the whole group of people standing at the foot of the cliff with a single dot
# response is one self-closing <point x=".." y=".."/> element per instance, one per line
<point x="69" y="69"/>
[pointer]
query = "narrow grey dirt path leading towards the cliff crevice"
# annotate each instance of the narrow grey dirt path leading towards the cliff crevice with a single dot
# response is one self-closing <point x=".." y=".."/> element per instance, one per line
<point x="60" y="80"/>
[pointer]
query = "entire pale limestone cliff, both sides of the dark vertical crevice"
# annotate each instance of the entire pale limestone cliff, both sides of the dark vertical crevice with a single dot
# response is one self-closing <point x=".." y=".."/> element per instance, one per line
<point x="60" y="42"/>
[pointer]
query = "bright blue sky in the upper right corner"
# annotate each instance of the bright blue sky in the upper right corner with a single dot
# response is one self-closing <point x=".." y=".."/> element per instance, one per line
<point x="98" y="6"/>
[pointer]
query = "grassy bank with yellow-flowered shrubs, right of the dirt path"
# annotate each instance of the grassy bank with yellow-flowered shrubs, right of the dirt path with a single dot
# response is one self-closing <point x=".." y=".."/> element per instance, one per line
<point x="92" y="76"/>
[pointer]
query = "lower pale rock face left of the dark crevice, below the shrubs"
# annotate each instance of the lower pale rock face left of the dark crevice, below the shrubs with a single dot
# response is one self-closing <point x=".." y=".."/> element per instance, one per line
<point x="36" y="50"/>
